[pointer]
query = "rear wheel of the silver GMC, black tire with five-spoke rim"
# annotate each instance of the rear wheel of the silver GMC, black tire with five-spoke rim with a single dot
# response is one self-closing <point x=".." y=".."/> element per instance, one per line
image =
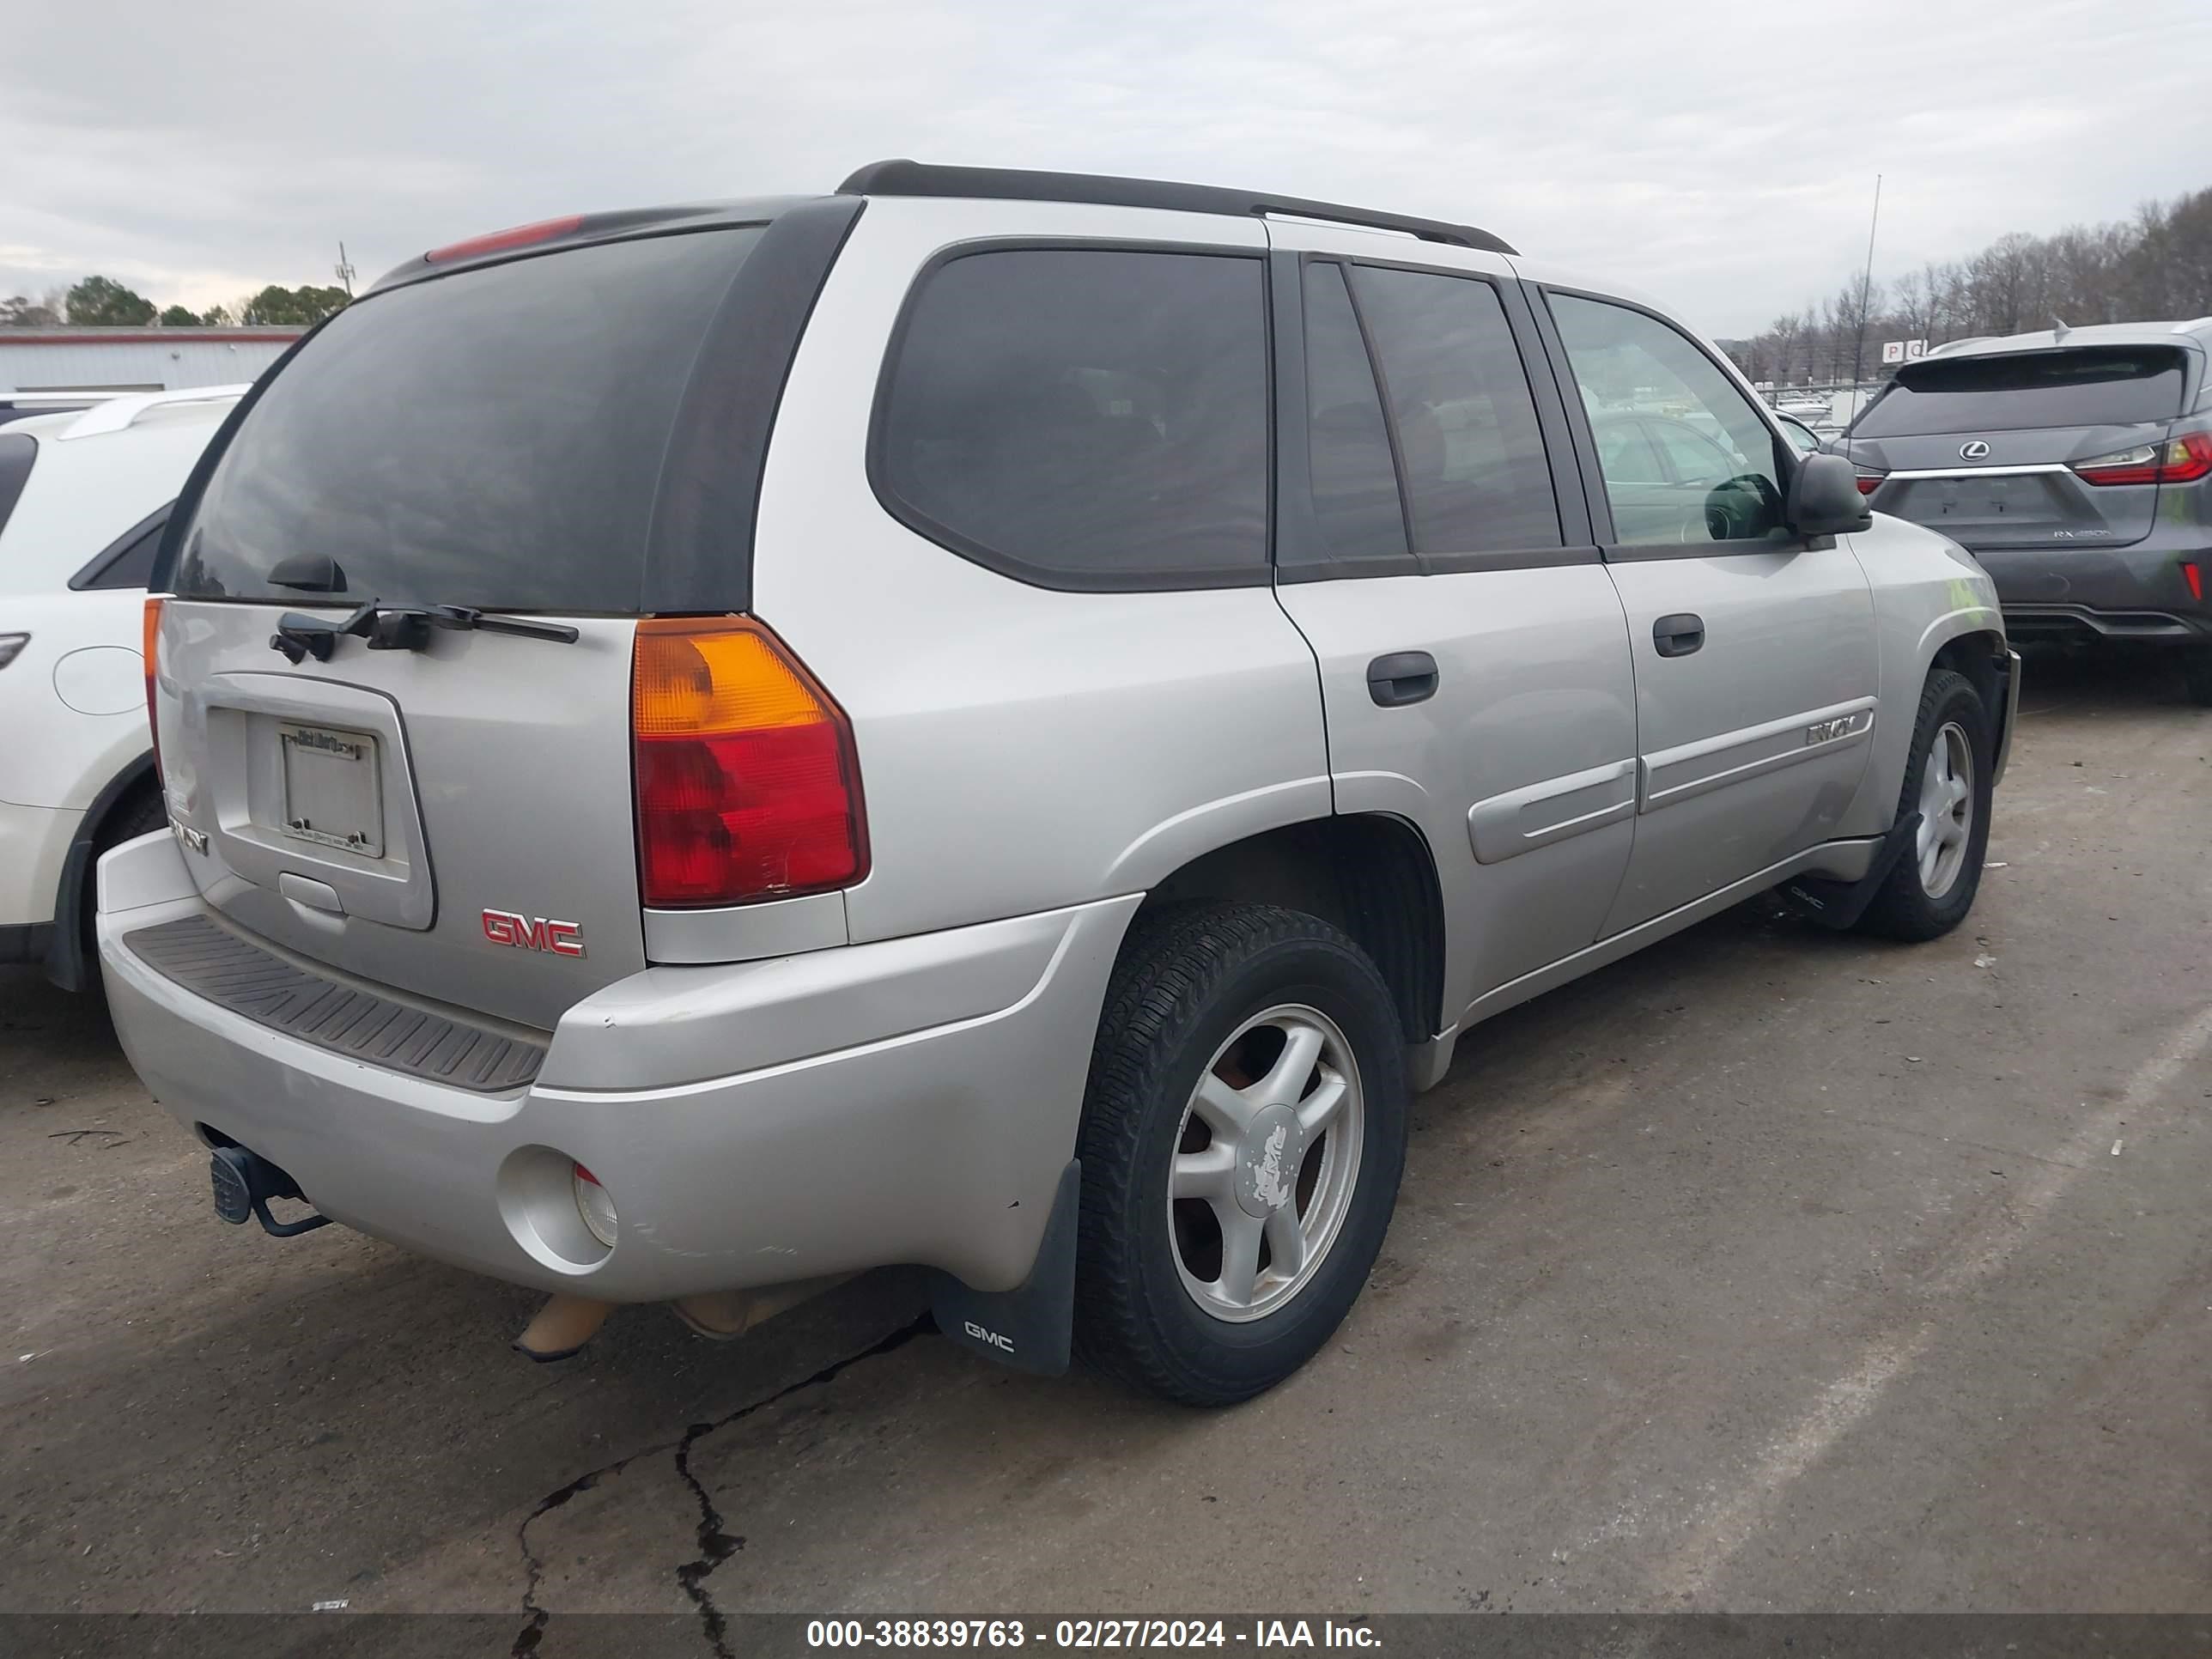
<point x="1244" y="1136"/>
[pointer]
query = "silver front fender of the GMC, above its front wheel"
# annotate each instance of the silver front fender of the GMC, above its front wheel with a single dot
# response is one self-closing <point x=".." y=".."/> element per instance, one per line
<point x="1928" y="592"/>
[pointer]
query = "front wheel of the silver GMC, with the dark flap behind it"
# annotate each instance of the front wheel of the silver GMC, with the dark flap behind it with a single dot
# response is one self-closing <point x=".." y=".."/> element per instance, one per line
<point x="1932" y="888"/>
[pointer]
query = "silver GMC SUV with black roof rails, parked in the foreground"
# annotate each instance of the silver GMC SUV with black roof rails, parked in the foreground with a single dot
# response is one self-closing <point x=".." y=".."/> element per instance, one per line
<point x="988" y="720"/>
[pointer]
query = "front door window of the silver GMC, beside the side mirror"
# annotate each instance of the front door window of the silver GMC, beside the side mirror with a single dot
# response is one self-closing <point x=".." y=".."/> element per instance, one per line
<point x="1726" y="483"/>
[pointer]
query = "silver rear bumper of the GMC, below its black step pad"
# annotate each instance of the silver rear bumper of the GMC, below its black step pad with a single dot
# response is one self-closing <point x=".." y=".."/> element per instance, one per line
<point x="904" y="1103"/>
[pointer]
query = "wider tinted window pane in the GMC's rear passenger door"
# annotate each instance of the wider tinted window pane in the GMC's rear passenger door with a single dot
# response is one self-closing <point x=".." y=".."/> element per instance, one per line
<point x="1477" y="479"/>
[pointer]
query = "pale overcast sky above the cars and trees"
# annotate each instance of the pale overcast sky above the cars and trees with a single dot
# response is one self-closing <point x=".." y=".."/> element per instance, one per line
<point x="1718" y="154"/>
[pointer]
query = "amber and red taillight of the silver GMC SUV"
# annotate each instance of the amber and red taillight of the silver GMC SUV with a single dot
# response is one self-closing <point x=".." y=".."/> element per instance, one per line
<point x="747" y="773"/>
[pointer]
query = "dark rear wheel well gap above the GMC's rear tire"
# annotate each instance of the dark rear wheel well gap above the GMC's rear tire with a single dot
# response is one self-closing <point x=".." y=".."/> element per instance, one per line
<point x="1373" y="875"/>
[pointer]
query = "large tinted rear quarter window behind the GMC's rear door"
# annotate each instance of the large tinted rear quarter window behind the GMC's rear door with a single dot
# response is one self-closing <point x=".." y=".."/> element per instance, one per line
<point x="1085" y="415"/>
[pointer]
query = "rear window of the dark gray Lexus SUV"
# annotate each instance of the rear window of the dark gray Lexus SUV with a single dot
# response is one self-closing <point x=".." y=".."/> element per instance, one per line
<point x="2089" y="388"/>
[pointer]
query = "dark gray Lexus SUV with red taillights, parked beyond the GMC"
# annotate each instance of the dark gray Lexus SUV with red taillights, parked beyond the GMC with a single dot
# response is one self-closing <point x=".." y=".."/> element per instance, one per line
<point x="2078" y="468"/>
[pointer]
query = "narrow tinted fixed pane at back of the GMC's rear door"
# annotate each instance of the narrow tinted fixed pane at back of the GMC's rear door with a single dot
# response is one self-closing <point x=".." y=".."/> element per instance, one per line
<point x="1348" y="448"/>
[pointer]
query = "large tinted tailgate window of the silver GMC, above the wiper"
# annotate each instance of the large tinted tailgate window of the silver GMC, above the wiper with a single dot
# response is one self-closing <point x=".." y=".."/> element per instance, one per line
<point x="488" y="439"/>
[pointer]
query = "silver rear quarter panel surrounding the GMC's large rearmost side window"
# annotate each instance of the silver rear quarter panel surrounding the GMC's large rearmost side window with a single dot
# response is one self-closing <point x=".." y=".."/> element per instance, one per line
<point x="1021" y="749"/>
